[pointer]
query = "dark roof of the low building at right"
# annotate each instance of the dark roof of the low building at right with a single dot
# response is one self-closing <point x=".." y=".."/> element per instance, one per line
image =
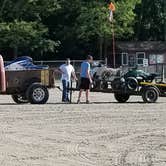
<point x="141" y="46"/>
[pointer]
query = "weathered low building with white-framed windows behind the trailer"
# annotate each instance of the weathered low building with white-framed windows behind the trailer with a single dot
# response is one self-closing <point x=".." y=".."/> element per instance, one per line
<point x="150" y="55"/>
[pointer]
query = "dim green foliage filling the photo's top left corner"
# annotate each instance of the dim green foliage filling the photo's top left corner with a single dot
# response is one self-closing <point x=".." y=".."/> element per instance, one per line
<point x="27" y="9"/>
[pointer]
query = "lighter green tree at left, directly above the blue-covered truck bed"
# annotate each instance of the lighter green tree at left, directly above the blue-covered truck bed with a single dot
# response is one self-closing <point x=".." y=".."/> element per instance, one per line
<point x="27" y="35"/>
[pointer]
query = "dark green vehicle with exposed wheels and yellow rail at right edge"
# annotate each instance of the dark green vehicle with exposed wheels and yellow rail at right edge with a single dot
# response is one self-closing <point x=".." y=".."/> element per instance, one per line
<point x="137" y="82"/>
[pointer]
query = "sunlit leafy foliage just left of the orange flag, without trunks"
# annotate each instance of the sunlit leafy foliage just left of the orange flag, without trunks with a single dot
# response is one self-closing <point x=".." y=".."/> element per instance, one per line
<point x="92" y="21"/>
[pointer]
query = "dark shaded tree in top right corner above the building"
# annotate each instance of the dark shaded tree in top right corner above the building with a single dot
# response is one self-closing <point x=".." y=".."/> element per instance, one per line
<point x="151" y="20"/>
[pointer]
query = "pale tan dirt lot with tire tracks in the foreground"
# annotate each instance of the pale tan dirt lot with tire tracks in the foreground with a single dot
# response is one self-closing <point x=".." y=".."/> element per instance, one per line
<point x="101" y="134"/>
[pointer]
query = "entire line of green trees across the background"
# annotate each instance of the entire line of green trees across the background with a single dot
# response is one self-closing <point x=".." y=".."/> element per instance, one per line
<point x="56" y="29"/>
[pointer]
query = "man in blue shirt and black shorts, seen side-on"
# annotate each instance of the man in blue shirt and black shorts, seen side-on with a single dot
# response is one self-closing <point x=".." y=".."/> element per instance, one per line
<point x="86" y="79"/>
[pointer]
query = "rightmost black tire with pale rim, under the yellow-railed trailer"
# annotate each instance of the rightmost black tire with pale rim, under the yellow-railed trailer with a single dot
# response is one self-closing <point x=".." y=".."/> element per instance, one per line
<point x="150" y="95"/>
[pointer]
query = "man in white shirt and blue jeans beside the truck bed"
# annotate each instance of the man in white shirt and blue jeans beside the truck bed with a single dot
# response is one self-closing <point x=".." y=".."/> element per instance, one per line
<point x="67" y="70"/>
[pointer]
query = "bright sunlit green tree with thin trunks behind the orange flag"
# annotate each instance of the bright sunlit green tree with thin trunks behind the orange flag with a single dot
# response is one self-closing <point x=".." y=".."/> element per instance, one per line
<point x="93" y="23"/>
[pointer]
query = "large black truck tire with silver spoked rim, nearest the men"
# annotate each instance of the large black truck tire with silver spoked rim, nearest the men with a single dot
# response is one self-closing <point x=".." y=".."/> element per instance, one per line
<point x="37" y="94"/>
